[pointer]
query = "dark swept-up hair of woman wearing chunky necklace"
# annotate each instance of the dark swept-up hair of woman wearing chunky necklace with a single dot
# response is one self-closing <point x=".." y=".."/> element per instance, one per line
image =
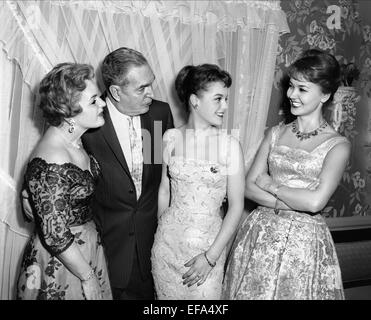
<point x="318" y="67"/>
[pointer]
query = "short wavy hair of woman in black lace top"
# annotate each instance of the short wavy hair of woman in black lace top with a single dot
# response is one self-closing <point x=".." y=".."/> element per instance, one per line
<point x="60" y="91"/>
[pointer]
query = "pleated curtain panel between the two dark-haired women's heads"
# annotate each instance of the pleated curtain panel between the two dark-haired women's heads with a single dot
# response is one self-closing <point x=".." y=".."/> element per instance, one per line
<point x="253" y="78"/>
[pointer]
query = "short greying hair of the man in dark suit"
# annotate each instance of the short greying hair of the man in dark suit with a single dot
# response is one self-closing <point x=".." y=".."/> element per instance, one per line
<point x="117" y="64"/>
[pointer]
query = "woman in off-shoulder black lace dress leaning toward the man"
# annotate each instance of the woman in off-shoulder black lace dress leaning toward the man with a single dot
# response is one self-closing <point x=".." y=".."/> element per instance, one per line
<point x="64" y="258"/>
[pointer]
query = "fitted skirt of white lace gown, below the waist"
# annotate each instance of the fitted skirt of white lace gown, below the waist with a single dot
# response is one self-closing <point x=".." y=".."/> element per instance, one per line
<point x="180" y="236"/>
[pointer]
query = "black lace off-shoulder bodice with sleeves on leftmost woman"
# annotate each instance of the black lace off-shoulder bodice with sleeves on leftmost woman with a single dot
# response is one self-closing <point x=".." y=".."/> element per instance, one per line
<point x="60" y="197"/>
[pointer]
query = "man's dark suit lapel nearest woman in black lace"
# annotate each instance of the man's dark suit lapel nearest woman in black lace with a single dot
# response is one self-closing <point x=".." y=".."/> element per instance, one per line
<point x="112" y="141"/>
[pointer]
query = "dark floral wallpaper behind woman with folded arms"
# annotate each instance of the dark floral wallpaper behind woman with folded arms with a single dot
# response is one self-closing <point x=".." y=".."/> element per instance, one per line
<point x="340" y="27"/>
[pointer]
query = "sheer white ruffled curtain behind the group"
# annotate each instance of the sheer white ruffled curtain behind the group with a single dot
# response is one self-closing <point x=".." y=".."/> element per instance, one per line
<point x="240" y="36"/>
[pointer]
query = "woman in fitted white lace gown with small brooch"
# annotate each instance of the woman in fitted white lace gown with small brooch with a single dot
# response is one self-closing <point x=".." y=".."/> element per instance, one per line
<point x="202" y="165"/>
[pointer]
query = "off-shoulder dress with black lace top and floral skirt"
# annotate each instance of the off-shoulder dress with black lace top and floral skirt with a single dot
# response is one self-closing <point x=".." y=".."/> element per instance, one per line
<point x="60" y="196"/>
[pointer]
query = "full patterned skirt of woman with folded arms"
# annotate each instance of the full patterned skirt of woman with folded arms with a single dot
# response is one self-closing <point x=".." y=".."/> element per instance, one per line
<point x="284" y="256"/>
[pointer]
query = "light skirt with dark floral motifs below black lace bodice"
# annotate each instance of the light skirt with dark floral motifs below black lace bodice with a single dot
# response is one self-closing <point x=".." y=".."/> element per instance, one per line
<point x="44" y="277"/>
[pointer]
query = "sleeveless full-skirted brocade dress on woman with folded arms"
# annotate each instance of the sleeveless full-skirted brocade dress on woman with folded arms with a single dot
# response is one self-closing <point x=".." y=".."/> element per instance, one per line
<point x="289" y="255"/>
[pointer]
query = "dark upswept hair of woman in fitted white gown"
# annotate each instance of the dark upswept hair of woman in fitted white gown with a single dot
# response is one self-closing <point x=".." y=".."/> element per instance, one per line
<point x="193" y="79"/>
